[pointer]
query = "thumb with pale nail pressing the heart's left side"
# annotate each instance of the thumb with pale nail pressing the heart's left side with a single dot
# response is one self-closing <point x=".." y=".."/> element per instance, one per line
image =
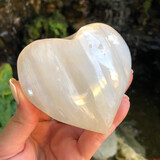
<point x="19" y="128"/>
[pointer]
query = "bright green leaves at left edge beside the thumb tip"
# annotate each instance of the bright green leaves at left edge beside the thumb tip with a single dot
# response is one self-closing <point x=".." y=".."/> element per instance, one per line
<point x="7" y="102"/>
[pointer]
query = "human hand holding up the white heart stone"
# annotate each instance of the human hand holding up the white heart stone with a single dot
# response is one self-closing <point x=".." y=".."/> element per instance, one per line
<point x="31" y="135"/>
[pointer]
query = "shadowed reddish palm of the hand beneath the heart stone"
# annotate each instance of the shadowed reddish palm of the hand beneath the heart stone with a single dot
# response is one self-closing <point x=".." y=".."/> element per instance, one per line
<point x="53" y="140"/>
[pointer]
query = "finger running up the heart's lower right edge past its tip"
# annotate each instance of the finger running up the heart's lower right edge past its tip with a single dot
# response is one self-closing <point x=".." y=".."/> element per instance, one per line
<point x="89" y="141"/>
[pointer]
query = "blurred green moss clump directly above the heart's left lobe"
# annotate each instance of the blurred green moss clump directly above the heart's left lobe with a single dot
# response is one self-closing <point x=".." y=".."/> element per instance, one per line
<point x="54" y="26"/>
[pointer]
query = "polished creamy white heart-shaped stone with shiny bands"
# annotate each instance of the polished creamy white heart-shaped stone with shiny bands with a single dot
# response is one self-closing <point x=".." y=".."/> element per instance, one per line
<point x="79" y="80"/>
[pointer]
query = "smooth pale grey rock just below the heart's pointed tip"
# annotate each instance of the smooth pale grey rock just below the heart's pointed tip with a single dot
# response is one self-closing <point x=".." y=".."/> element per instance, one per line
<point x="108" y="148"/>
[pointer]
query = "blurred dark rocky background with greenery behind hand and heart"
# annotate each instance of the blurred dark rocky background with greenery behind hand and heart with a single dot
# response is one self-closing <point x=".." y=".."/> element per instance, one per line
<point x="138" y="21"/>
